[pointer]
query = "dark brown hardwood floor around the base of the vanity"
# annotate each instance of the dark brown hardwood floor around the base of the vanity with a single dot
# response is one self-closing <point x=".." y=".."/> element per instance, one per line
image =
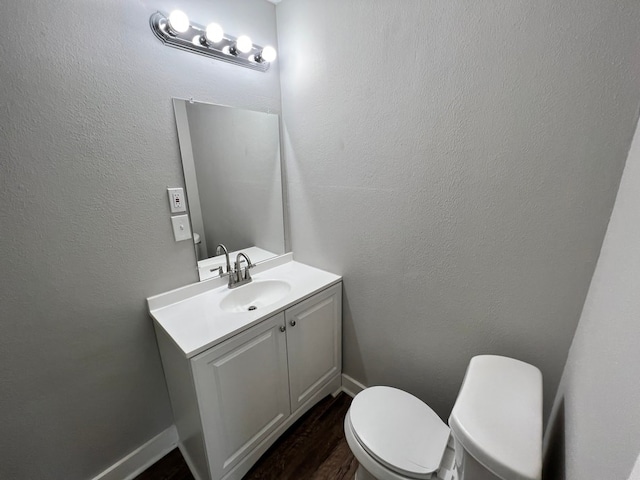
<point x="313" y="448"/>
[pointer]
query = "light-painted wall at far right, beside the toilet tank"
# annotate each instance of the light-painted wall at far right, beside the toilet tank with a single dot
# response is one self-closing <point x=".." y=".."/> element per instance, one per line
<point x="599" y="396"/>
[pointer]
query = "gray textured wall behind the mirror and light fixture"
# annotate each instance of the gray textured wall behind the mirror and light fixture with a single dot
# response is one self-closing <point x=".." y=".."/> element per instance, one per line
<point x="88" y="147"/>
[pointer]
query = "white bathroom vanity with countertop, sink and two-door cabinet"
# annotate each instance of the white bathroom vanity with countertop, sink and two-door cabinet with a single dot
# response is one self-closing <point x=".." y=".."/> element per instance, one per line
<point x="243" y="364"/>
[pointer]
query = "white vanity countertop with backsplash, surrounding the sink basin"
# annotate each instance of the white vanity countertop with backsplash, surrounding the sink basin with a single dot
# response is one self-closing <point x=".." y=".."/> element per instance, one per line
<point x="193" y="320"/>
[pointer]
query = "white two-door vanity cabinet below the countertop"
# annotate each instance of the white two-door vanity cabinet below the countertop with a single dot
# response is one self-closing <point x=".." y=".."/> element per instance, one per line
<point x="233" y="400"/>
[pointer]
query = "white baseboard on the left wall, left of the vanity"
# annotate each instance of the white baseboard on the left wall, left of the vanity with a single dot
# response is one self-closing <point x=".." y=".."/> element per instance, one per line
<point x="142" y="457"/>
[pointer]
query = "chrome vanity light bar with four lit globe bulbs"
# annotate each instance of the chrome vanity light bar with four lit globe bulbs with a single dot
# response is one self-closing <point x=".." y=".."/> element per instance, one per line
<point x="176" y="31"/>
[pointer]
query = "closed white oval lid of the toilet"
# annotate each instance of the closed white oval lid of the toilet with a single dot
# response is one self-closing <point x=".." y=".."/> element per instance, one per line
<point x="399" y="430"/>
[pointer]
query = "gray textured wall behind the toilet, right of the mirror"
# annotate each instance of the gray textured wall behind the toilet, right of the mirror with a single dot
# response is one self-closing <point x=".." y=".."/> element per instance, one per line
<point x="457" y="162"/>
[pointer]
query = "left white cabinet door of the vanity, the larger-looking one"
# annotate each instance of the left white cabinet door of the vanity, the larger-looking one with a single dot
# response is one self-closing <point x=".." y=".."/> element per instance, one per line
<point x="242" y="389"/>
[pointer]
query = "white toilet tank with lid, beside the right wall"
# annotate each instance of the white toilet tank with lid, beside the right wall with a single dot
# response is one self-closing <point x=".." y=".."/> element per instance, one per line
<point x="497" y="420"/>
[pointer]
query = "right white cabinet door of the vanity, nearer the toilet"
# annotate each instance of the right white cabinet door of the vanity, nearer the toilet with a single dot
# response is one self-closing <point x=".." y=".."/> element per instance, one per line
<point x="314" y="343"/>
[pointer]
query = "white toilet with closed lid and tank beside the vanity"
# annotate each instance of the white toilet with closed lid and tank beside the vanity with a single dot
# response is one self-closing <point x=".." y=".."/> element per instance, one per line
<point x="495" y="428"/>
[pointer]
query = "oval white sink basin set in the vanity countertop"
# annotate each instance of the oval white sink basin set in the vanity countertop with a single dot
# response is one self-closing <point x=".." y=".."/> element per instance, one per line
<point x="254" y="295"/>
